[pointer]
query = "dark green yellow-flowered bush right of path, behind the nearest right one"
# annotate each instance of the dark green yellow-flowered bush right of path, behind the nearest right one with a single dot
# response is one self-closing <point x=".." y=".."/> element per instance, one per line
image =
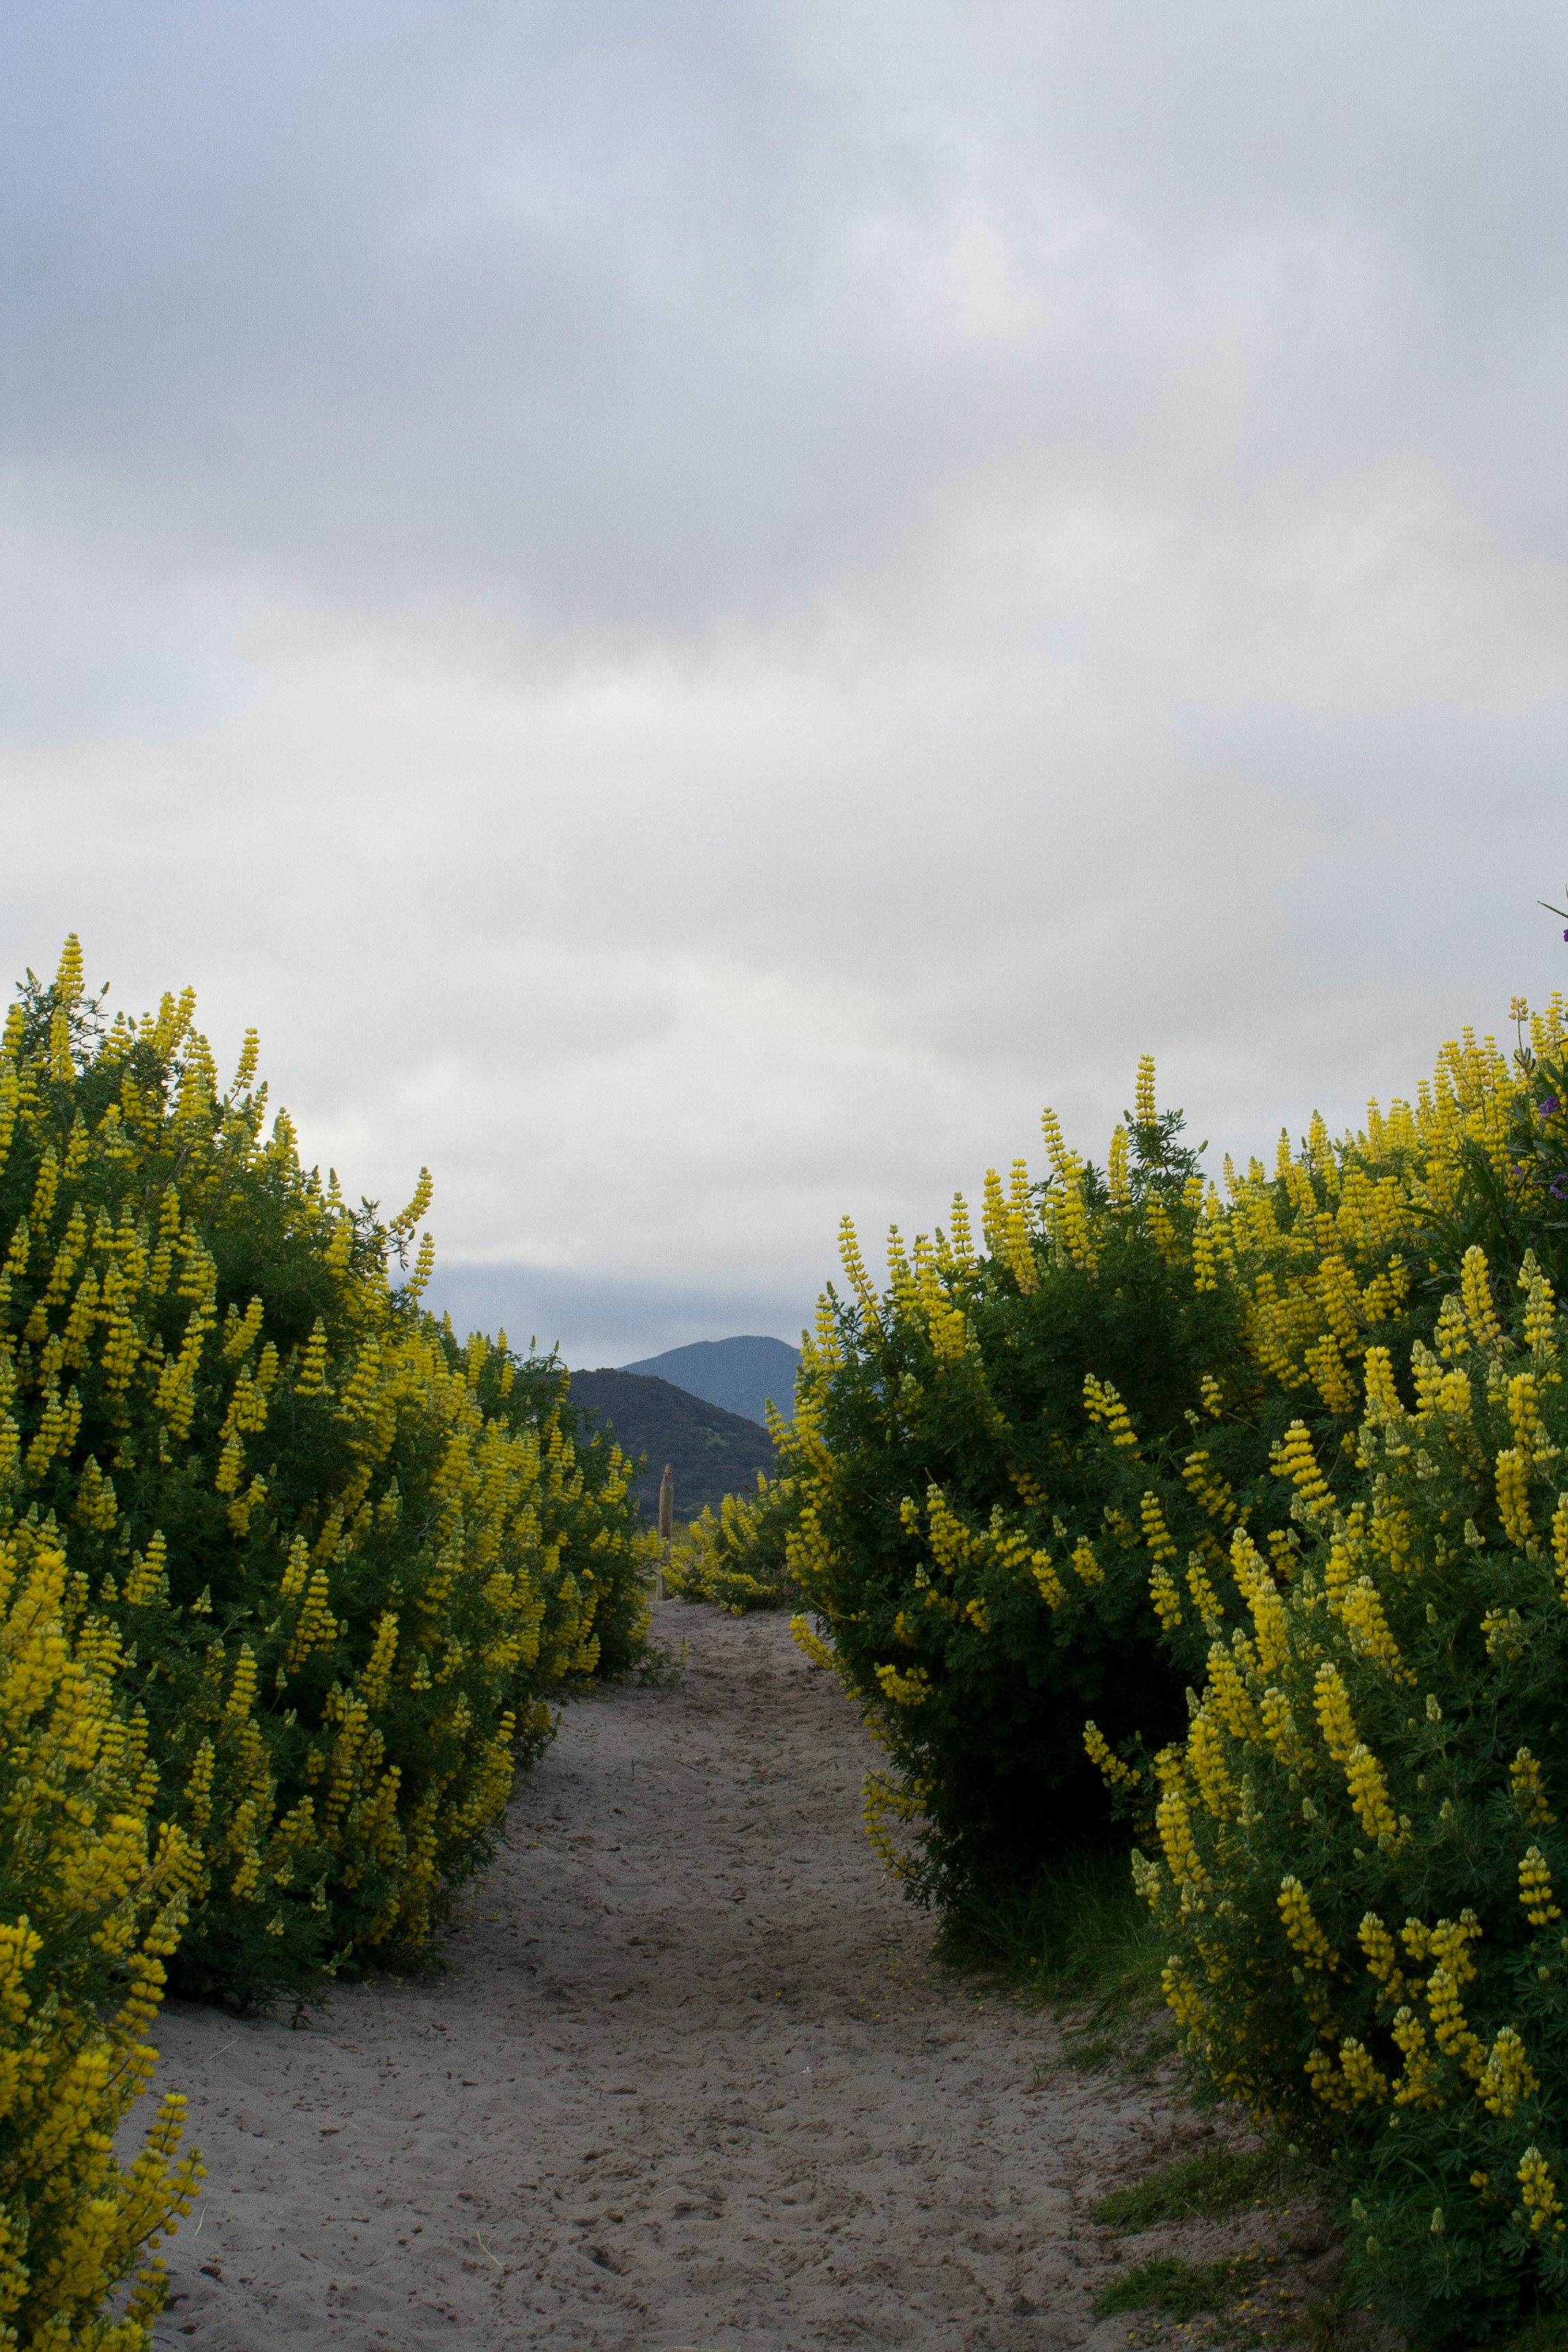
<point x="1007" y="1452"/>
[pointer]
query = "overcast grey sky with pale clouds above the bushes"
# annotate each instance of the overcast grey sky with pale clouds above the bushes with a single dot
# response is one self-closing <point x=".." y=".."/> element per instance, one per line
<point x="702" y="608"/>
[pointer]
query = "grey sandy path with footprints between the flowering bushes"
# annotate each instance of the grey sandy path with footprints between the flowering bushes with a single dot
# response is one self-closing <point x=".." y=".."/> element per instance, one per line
<point x="690" y="2080"/>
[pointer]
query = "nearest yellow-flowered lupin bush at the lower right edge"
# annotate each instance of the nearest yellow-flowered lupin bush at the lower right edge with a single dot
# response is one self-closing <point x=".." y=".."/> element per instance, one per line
<point x="1362" y="1852"/>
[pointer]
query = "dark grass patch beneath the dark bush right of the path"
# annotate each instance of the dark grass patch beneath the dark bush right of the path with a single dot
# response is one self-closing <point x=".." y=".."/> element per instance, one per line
<point x="1073" y="1932"/>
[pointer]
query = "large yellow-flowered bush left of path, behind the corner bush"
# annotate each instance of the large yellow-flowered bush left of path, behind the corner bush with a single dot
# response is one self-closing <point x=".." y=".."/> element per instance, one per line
<point x="349" y="1556"/>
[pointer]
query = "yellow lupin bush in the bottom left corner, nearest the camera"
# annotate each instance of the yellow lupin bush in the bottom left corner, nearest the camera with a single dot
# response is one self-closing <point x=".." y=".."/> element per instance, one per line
<point x="91" y="1911"/>
